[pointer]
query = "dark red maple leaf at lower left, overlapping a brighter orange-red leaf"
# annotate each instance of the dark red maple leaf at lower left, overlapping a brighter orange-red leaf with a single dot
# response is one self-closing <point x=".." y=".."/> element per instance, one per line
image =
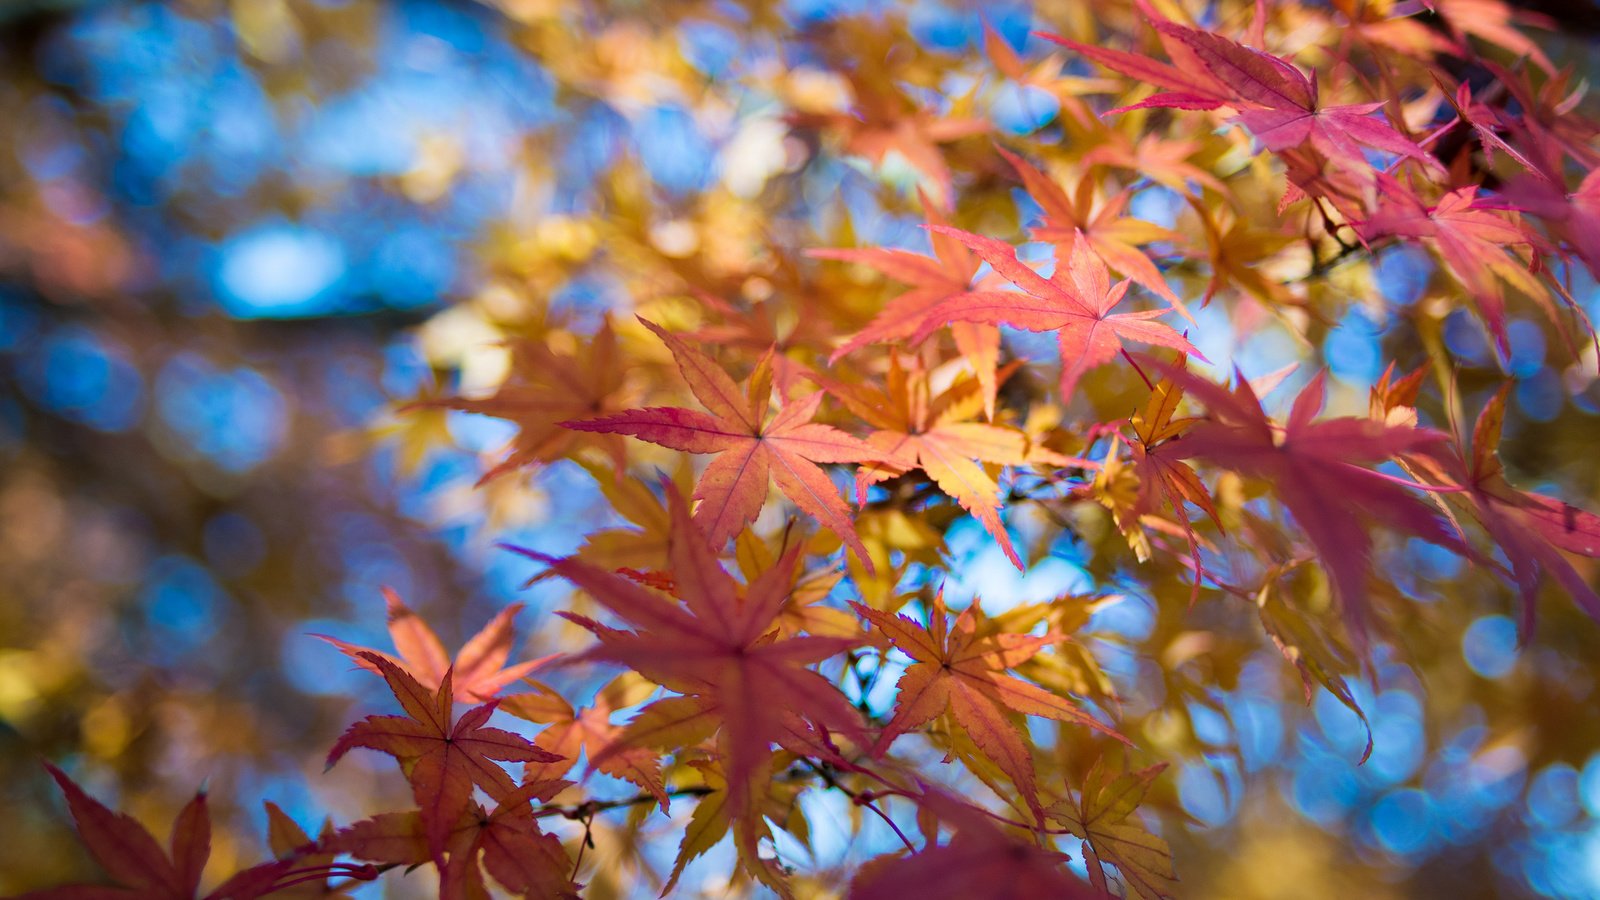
<point x="441" y="760"/>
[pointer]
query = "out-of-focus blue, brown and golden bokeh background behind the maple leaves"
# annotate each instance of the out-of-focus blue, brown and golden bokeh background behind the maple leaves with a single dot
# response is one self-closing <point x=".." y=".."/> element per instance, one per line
<point x="234" y="238"/>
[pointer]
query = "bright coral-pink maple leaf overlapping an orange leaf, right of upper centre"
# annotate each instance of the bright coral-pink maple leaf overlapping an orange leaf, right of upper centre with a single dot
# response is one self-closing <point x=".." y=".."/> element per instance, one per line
<point x="1076" y="303"/>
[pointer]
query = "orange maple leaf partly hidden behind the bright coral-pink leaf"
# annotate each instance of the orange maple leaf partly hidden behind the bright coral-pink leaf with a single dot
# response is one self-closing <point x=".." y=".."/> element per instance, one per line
<point x="934" y="279"/>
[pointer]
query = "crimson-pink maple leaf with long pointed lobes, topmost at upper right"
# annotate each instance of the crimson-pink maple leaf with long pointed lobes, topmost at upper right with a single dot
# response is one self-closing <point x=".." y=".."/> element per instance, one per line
<point x="1274" y="100"/>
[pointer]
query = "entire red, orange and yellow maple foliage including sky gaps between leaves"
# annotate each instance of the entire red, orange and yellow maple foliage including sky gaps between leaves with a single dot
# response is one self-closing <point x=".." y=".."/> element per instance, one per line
<point x="790" y="451"/>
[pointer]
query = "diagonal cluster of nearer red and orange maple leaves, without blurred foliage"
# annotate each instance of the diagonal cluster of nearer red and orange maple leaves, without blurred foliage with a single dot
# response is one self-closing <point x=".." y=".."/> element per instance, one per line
<point x="751" y="643"/>
